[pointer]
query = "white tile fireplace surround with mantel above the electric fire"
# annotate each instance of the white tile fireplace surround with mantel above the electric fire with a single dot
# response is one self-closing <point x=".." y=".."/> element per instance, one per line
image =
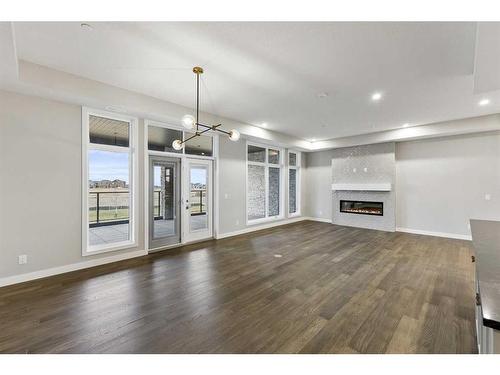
<point x="364" y="174"/>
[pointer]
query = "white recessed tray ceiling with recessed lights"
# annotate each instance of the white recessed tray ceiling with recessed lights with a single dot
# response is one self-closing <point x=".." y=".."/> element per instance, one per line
<point x="273" y="72"/>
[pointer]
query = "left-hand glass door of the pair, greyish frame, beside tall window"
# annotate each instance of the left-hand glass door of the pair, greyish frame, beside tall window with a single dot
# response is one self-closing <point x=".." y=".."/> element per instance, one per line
<point x="164" y="201"/>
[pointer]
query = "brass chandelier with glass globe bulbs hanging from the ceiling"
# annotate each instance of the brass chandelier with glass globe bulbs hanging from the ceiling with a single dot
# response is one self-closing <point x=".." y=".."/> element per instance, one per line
<point x="191" y="123"/>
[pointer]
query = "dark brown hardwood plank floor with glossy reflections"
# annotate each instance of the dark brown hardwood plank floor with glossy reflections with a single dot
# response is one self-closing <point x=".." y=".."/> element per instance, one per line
<point x="334" y="290"/>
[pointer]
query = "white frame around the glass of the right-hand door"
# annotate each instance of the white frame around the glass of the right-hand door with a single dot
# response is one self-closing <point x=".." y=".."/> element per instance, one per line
<point x="201" y="234"/>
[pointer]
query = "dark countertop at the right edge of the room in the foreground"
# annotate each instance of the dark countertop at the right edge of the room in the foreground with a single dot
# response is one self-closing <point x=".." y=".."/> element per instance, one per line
<point x="486" y="240"/>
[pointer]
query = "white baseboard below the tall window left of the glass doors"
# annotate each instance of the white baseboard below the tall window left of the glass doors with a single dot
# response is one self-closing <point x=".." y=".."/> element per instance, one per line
<point x="69" y="268"/>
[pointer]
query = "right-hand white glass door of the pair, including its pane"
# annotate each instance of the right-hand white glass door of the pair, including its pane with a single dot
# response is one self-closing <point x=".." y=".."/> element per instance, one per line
<point x="197" y="199"/>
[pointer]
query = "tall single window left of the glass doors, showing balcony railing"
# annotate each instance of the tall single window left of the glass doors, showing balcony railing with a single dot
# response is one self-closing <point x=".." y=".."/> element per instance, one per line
<point x="108" y="167"/>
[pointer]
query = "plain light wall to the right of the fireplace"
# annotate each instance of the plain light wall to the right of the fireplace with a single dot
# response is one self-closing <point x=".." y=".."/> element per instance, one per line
<point x="441" y="183"/>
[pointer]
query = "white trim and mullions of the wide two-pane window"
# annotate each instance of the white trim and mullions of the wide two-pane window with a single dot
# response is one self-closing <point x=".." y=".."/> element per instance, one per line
<point x="266" y="165"/>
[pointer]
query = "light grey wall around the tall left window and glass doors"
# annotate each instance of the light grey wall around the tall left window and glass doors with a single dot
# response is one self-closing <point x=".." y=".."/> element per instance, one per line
<point x="41" y="185"/>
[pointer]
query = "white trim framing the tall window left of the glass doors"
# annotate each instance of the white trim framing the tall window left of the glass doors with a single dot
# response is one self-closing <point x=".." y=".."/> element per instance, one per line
<point x="88" y="250"/>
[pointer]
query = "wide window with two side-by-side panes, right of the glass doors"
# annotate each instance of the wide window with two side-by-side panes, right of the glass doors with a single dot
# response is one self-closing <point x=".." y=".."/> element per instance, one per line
<point x="264" y="183"/>
